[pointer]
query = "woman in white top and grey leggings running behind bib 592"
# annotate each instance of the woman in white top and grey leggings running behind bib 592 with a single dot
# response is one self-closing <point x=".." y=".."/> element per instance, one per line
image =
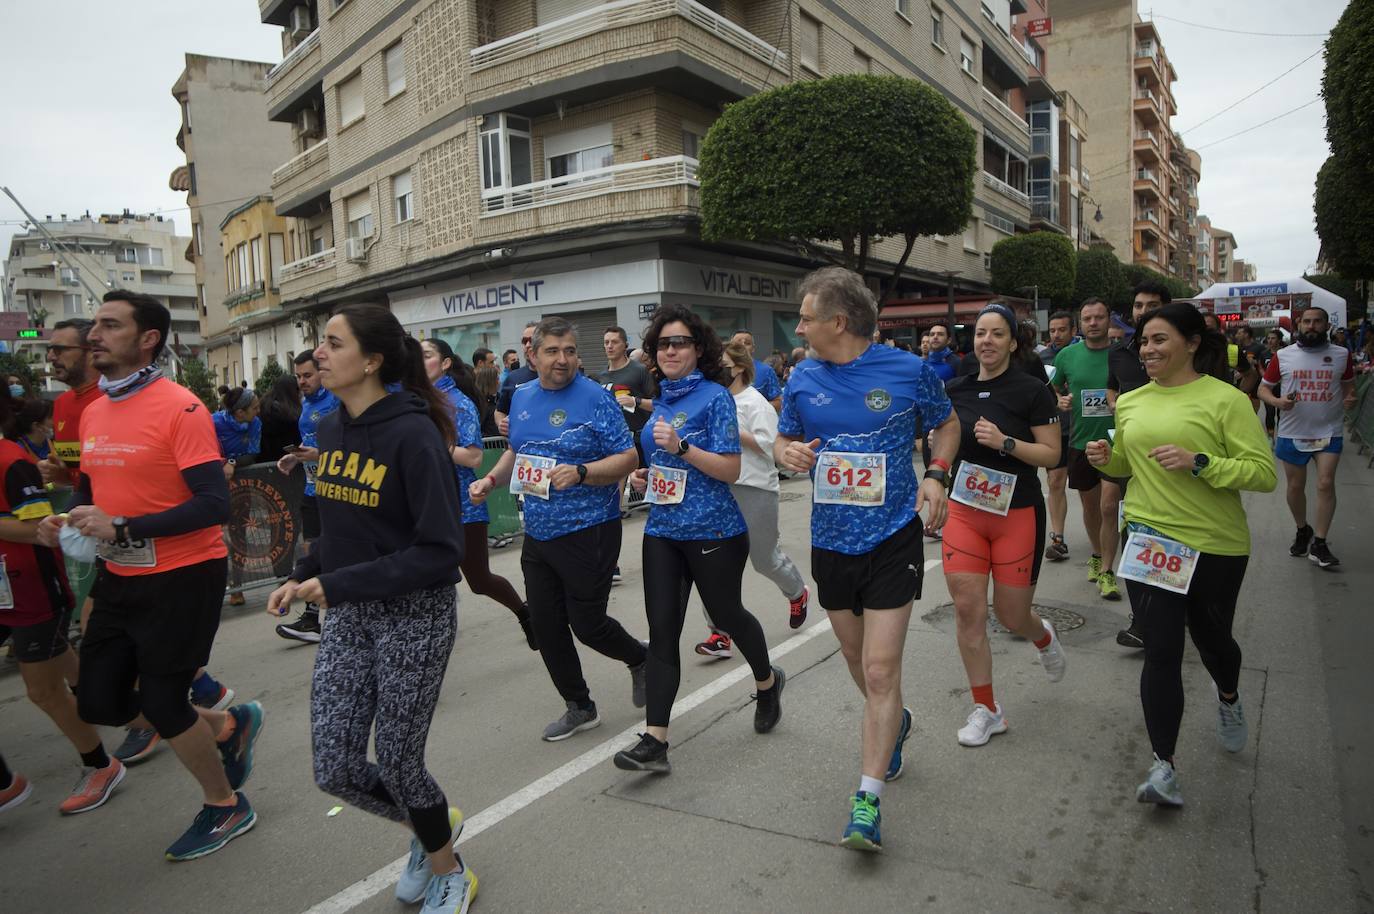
<point x="756" y="494"/>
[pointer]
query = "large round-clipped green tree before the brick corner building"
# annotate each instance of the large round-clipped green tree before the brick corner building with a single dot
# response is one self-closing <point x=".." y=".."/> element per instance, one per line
<point x="847" y="160"/>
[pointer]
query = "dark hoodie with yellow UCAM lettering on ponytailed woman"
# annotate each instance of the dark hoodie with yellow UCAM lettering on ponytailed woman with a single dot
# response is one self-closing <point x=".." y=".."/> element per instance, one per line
<point x="388" y="500"/>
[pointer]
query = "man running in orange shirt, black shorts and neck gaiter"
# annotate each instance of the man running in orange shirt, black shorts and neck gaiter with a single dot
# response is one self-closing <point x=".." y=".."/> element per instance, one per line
<point x="155" y="495"/>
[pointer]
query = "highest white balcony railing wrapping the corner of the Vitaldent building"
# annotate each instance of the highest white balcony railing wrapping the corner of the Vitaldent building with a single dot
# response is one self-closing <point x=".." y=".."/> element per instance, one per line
<point x="613" y="16"/>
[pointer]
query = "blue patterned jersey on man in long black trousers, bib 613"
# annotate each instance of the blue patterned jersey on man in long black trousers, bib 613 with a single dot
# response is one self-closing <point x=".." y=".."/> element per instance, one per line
<point x="576" y="425"/>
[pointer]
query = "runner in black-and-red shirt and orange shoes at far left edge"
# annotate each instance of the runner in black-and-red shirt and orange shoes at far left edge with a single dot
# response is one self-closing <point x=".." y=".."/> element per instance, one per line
<point x="36" y="611"/>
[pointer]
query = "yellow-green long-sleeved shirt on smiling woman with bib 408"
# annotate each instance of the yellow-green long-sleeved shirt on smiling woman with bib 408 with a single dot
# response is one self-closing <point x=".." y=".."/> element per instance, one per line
<point x="1206" y="417"/>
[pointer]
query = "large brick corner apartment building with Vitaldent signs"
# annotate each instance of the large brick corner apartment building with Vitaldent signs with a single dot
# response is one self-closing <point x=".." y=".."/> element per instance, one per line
<point x="480" y="163"/>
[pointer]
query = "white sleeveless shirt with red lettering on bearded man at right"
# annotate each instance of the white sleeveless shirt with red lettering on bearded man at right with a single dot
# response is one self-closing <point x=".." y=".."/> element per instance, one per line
<point x="1316" y="376"/>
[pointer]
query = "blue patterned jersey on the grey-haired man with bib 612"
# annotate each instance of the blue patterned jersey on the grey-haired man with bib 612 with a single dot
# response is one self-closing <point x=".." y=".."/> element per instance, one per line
<point x="869" y="406"/>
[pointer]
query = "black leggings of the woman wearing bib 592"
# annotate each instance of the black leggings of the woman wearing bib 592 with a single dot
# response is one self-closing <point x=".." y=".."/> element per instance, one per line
<point x="717" y="568"/>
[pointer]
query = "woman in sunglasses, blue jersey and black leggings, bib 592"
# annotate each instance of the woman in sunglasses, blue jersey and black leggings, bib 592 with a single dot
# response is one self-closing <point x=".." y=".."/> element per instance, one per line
<point x="696" y="534"/>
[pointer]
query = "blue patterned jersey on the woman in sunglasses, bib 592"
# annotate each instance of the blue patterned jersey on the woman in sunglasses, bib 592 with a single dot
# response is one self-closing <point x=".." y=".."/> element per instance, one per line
<point x="704" y="416"/>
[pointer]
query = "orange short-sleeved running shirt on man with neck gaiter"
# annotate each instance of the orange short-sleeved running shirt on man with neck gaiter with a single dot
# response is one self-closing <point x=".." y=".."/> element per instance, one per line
<point x="134" y="453"/>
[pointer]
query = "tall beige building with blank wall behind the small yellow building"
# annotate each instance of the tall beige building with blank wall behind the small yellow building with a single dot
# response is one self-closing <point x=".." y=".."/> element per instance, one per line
<point x="230" y="151"/>
